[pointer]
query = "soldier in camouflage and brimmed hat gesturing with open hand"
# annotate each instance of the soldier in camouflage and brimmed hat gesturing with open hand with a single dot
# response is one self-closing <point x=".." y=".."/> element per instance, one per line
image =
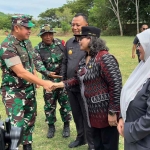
<point x="48" y="58"/>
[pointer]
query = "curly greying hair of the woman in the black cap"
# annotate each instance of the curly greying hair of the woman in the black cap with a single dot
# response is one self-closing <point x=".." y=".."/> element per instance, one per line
<point x="96" y="45"/>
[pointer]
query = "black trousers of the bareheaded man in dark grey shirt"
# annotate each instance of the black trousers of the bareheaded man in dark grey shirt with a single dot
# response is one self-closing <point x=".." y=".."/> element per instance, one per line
<point x="79" y="116"/>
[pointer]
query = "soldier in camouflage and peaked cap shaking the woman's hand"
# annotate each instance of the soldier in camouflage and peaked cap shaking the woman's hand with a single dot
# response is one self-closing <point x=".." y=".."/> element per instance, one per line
<point x="18" y="79"/>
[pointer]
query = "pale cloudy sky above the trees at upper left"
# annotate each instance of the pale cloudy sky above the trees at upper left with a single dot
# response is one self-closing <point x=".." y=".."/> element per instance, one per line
<point x="30" y="7"/>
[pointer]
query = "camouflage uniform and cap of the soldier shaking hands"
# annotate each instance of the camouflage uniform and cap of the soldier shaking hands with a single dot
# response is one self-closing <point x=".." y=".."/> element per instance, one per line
<point x="18" y="95"/>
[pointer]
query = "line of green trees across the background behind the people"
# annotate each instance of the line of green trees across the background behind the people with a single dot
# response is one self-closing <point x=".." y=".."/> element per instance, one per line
<point x="112" y="16"/>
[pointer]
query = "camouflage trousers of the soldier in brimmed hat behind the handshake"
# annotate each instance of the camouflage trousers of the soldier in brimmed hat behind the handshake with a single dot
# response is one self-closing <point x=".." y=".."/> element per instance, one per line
<point x="50" y="99"/>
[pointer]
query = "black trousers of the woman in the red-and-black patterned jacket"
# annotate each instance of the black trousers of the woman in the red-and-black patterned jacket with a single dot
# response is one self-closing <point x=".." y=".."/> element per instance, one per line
<point x="105" y="138"/>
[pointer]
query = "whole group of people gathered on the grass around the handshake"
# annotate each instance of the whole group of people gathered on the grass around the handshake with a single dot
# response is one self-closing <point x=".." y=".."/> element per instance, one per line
<point x="84" y="78"/>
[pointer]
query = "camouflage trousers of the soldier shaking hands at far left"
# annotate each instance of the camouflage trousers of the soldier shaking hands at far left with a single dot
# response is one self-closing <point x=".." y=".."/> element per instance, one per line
<point x="22" y="113"/>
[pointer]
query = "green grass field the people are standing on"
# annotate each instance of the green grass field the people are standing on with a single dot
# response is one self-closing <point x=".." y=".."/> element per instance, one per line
<point x="120" y="47"/>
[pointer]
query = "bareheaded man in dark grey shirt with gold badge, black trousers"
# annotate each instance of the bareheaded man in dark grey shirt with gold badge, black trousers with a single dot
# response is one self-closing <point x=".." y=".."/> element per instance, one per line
<point x="72" y="55"/>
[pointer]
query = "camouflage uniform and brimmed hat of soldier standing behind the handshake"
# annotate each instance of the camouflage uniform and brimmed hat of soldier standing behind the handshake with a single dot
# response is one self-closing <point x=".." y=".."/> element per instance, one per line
<point x="48" y="58"/>
